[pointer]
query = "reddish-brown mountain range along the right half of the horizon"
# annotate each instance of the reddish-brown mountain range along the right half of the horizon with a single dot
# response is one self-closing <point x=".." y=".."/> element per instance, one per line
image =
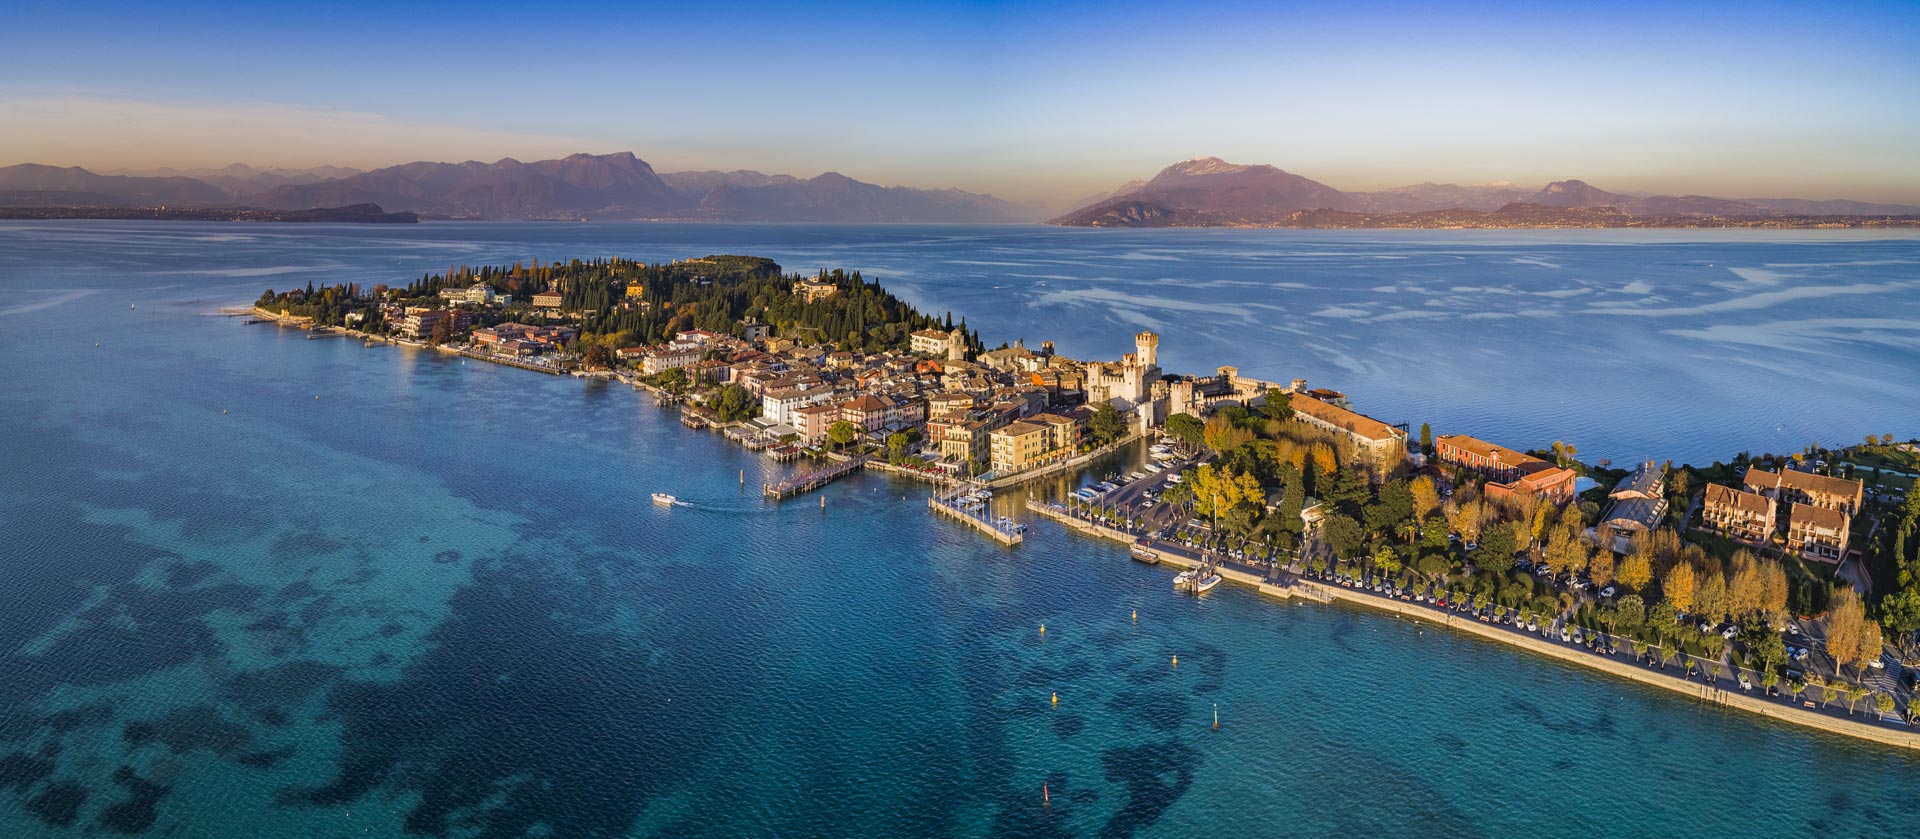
<point x="1212" y="193"/>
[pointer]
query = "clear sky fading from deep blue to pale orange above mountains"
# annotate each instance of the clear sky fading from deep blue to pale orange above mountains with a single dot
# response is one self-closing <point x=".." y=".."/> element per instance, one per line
<point x="1042" y="101"/>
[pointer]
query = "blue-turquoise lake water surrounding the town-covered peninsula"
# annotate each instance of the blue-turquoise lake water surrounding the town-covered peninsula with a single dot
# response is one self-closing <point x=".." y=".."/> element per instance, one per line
<point x="391" y="594"/>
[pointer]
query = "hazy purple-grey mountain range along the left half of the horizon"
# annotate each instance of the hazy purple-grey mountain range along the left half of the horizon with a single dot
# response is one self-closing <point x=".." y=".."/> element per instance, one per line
<point x="579" y="187"/>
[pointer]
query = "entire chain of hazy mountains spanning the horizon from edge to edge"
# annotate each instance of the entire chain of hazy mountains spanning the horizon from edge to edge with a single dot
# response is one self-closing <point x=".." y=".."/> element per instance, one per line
<point x="1195" y="193"/>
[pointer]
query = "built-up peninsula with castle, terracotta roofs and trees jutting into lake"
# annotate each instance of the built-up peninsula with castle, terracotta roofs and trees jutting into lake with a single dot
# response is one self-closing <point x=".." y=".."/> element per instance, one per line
<point x="1781" y="585"/>
